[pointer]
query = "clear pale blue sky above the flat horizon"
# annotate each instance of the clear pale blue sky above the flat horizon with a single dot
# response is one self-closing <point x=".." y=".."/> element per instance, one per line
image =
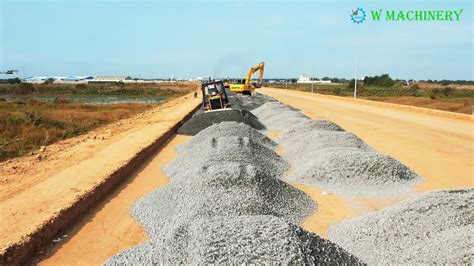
<point x="199" y="38"/>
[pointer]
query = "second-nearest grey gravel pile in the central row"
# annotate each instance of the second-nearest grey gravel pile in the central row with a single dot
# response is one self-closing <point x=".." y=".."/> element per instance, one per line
<point x="229" y="189"/>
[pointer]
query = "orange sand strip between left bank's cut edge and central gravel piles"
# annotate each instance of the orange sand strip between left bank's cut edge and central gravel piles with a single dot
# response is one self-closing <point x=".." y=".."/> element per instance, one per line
<point x="109" y="228"/>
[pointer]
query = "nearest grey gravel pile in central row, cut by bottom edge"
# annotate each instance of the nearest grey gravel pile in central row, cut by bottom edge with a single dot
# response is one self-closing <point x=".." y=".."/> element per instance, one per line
<point x="237" y="240"/>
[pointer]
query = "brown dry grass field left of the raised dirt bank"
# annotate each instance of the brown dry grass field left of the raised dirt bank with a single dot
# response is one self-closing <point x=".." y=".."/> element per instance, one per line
<point x="28" y="125"/>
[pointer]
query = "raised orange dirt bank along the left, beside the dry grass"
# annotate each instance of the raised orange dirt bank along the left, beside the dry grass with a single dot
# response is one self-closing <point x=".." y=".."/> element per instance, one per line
<point x="34" y="193"/>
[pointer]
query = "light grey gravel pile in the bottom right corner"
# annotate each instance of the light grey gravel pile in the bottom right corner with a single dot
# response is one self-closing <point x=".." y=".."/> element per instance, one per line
<point x="432" y="228"/>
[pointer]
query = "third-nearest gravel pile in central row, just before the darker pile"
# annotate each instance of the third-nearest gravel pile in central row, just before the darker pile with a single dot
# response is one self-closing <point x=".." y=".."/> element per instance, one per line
<point x="217" y="150"/>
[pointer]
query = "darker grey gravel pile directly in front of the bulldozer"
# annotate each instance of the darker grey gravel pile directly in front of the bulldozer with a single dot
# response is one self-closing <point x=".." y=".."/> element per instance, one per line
<point x="203" y="120"/>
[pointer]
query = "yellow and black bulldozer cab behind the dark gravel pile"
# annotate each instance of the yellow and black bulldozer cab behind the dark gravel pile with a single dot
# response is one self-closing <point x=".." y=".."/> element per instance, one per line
<point x="214" y="96"/>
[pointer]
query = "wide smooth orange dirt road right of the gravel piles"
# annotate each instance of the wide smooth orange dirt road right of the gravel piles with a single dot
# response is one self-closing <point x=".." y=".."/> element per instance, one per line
<point x="437" y="145"/>
